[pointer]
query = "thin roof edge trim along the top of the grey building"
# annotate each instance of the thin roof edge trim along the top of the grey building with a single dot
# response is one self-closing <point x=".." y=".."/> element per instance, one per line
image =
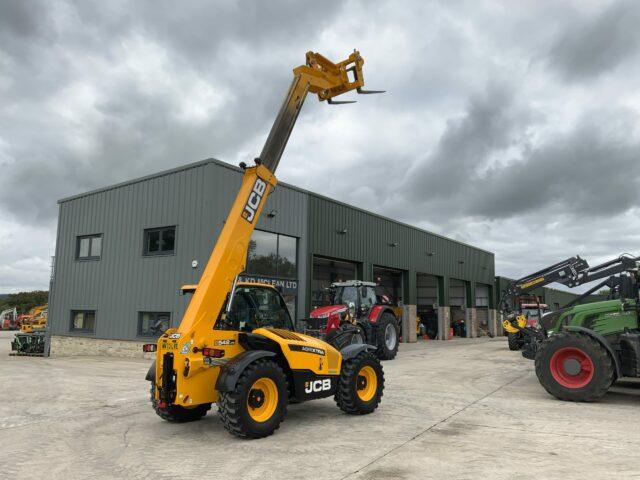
<point x="219" y="163"/>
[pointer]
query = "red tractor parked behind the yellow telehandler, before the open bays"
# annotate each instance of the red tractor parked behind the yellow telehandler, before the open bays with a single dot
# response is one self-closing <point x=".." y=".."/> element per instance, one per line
<point x="361" y="312"/>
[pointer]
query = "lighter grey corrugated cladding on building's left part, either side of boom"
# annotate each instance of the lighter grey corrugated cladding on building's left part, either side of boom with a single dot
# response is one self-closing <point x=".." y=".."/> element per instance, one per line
<point x="196" y="199"/>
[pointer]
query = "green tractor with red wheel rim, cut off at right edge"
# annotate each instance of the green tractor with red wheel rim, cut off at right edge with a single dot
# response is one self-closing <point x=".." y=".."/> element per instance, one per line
<point x="581" y="350"/>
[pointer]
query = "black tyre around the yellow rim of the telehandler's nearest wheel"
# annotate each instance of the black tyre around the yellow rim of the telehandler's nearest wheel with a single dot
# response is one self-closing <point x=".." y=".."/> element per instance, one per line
<point x="234" y="406"/>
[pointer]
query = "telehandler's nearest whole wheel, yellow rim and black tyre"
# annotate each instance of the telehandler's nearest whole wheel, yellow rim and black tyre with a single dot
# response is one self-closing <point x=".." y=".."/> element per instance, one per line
<point x="258" y="404"/>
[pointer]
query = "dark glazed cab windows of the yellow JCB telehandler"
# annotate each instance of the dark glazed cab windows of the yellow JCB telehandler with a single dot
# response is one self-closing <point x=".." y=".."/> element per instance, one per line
<point x="256" y="307"/>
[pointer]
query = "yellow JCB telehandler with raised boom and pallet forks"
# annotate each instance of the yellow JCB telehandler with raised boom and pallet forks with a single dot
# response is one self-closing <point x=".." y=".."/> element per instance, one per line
<point x="236" y="345"/>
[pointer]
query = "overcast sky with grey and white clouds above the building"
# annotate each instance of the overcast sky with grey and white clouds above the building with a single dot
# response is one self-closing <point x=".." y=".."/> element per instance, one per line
<point x="512" y="126"/>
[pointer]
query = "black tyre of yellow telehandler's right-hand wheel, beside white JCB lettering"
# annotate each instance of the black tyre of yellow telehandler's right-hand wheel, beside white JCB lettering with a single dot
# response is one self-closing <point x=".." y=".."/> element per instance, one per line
<point x="347" y="396"/>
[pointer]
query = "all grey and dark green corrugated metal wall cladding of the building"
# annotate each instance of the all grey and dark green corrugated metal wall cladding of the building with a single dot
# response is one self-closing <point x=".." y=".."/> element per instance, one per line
<point x="196" y="199"/>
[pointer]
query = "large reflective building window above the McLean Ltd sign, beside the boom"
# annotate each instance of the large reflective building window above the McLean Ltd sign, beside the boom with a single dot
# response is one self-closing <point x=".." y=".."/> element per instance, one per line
<point x="272" y="254"/>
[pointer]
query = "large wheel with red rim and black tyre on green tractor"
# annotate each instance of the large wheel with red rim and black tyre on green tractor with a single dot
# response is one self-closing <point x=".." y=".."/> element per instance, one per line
<point x="591" y="361"/>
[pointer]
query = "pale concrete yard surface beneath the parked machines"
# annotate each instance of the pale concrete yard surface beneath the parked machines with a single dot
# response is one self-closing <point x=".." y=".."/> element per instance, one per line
<point x="461" y="409"/>
